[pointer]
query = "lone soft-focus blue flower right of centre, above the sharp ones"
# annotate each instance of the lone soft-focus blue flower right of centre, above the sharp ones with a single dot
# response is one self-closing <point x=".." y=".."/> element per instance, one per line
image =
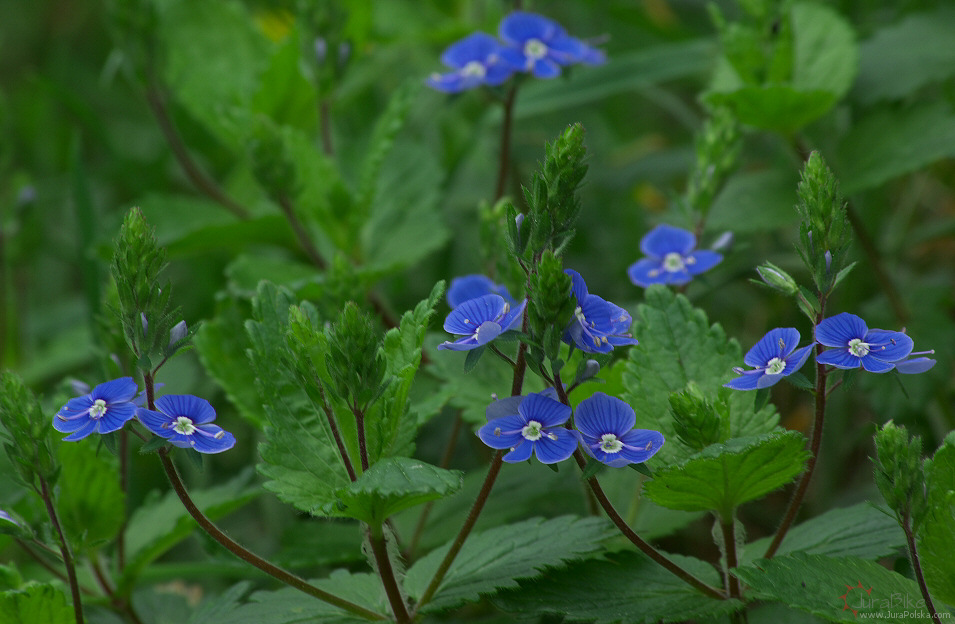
<point x="671" y="258"/>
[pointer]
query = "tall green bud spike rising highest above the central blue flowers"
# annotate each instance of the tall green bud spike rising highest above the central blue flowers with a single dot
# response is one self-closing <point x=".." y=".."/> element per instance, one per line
<point x="552" y="201"/>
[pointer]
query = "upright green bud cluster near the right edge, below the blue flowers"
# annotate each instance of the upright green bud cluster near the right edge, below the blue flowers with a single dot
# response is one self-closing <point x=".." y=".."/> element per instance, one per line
<point x="899" y="474"/>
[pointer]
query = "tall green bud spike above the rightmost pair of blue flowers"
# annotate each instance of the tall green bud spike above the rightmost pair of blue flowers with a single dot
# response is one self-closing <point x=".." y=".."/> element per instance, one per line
<point x="824" y="232"/>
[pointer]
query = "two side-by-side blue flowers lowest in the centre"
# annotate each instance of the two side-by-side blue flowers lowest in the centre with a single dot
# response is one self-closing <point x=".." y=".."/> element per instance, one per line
<point x="536" y="424"/>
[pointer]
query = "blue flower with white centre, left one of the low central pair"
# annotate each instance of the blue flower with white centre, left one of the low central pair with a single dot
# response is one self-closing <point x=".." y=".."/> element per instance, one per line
<point x="530" y="424"/>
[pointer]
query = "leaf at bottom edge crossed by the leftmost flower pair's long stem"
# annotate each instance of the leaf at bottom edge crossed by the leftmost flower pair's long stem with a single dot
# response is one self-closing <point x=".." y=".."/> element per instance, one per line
<point x="290" y="606"/>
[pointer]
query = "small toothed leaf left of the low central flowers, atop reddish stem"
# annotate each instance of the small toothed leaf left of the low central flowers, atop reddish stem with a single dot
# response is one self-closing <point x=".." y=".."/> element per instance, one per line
<point x="391" y="485"/>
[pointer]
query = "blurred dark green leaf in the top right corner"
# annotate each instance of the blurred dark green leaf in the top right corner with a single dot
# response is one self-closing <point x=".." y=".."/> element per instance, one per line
<point x="900" y="58"/>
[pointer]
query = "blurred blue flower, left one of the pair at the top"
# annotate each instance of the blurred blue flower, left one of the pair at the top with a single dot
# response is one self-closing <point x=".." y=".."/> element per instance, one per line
<point x="476" y="60"/>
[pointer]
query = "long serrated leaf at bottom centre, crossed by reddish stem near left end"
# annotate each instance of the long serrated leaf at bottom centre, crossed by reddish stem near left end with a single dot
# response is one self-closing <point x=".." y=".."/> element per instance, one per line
<point x="495" y="559"/>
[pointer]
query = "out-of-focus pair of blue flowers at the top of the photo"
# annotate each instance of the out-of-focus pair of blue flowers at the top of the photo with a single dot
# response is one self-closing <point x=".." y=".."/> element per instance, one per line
<point x="529" y="43"/>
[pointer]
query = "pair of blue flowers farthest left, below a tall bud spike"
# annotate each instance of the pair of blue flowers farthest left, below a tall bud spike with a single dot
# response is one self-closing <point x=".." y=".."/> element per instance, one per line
<point x="183" y="419"/>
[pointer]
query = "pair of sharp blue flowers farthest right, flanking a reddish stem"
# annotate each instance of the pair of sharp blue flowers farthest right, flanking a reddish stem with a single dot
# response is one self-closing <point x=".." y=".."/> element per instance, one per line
<point x="851" y="345"/>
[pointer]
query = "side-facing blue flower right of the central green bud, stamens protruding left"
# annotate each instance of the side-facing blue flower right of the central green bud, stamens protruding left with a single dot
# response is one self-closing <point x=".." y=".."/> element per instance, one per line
<point x="598" y="326"/>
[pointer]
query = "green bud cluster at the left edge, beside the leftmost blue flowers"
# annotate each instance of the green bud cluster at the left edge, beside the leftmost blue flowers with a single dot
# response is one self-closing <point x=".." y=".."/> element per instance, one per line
<point x="26" y="433"/>
